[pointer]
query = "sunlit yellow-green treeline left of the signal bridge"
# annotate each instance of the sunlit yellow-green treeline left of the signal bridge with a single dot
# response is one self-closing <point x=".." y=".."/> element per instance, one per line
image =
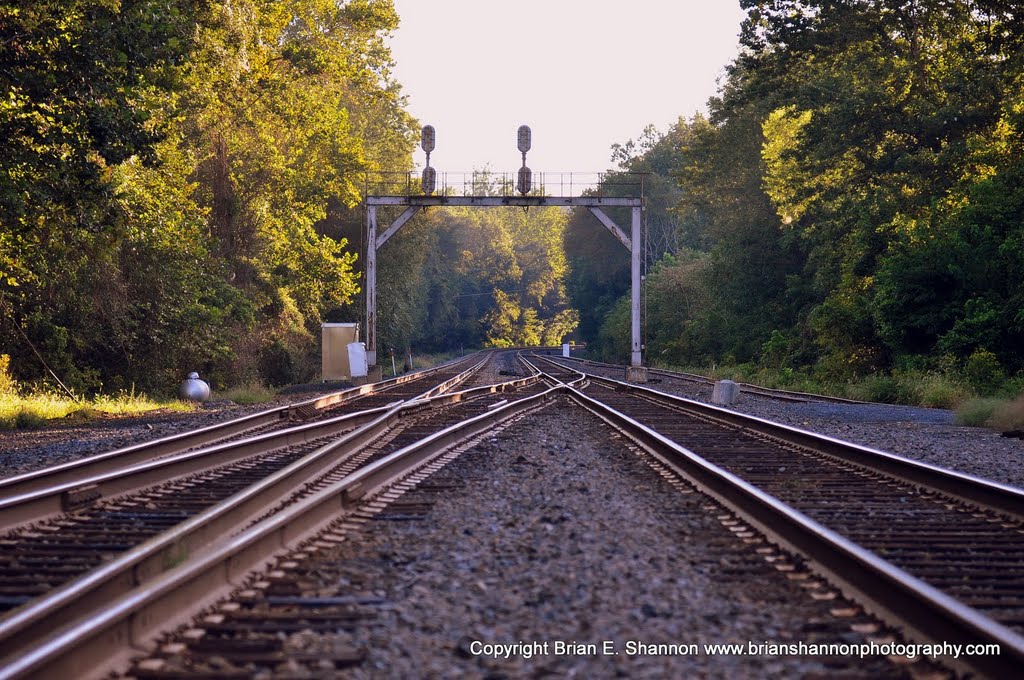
<point x="165" y="178"/>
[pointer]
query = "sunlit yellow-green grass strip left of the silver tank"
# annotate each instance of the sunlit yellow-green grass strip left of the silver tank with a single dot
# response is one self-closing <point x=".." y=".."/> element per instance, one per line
<point x="39" y="409"/>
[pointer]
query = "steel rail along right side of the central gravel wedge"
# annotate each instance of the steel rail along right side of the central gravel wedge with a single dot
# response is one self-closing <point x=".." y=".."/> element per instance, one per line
<point x="887" y="591"/>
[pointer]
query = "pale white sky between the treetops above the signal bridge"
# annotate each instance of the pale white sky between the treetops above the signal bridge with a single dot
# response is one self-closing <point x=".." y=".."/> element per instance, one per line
<point x="583" y="74"/>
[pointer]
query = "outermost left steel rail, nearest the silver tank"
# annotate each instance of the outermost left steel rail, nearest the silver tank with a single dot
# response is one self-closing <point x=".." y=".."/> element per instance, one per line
<point x="135" y="454"/>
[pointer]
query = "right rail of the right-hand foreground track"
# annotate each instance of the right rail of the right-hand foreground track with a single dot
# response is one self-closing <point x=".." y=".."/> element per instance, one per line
<point x="998" y="497"/>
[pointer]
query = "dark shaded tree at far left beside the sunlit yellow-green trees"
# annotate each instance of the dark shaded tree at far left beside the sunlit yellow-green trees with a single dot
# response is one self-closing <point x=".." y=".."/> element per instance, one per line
<point x="82" y="79"/>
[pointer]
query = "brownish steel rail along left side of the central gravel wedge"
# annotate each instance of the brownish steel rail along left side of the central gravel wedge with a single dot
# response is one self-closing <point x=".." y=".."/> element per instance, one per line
<point x="93" y="646"/>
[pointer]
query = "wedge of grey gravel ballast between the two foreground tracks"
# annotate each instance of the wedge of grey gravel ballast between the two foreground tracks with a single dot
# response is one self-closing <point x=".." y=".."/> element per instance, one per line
<point x="552" y="535"/>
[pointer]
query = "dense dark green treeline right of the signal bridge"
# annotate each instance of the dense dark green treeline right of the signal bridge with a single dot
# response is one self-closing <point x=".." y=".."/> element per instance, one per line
<point x="854" y="204"/>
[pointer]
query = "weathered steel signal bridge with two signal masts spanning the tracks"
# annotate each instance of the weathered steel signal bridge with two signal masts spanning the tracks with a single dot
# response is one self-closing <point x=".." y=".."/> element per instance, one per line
<point x="488" y="190"/>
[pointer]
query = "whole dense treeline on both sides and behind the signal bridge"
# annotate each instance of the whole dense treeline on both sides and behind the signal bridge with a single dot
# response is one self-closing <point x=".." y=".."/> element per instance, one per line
<point x="180" y="187"/>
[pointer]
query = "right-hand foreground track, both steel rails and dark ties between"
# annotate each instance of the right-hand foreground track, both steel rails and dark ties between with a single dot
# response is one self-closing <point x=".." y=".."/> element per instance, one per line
<point x="936" y="552"/>
